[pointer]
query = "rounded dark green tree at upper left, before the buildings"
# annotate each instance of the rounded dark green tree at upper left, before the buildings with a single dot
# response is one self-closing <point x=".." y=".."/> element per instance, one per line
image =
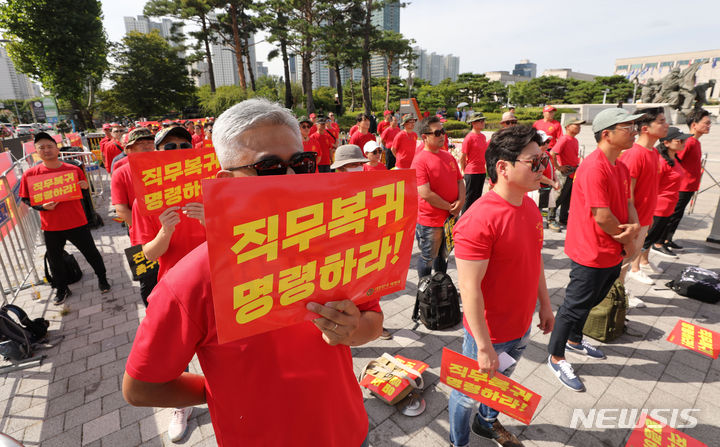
<point x="150" y="78"/>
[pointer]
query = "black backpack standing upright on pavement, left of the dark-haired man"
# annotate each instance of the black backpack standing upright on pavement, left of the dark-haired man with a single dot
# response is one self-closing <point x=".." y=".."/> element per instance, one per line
<point x="437" y="304"/>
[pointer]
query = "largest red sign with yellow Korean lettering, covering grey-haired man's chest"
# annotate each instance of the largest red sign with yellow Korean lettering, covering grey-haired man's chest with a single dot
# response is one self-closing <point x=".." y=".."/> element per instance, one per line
<point x="278" y="242"/>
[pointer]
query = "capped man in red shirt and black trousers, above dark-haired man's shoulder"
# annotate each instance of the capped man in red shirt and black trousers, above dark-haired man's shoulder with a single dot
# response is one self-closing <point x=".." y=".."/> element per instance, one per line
<point x="472" y="160"/>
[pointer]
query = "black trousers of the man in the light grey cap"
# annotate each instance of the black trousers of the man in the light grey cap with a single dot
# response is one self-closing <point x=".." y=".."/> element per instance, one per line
<point x="588" y="287"/>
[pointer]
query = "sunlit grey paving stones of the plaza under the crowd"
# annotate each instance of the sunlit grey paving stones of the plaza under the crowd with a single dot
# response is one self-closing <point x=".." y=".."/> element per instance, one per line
<point x="74" y="398"/>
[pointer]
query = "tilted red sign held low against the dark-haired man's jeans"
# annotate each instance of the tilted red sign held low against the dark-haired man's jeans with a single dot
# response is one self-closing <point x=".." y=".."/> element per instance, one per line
<point x="500" y="392"/>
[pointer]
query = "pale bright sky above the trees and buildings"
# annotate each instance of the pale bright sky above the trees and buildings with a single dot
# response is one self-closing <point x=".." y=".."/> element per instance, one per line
<point x="585" y="35"/>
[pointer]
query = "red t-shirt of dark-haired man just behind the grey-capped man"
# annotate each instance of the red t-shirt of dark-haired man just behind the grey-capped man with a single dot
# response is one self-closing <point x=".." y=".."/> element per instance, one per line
<point x="642" y="163"/>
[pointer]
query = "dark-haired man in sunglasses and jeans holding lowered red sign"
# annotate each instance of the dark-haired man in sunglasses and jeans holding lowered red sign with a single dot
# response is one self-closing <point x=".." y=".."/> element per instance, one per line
<point x="499" y="239"/>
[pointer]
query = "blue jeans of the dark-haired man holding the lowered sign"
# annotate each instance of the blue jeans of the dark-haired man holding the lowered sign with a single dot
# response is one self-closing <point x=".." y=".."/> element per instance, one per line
<point x="460" y="407"/>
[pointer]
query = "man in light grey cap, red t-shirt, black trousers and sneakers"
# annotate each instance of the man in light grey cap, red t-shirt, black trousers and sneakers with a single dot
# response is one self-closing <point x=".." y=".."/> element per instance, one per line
<point x="601" y="231"/>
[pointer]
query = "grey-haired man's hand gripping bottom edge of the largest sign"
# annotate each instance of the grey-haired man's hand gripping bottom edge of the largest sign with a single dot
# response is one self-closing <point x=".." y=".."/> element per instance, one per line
<point x="338" y="320"/>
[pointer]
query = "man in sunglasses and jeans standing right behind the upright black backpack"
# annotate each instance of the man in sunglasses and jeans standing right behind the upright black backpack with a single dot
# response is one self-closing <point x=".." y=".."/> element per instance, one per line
<point x="441" y="192"/>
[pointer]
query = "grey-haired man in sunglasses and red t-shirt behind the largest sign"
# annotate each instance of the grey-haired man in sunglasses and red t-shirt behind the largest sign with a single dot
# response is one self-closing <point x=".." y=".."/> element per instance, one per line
<point x="292" y="386"/>
